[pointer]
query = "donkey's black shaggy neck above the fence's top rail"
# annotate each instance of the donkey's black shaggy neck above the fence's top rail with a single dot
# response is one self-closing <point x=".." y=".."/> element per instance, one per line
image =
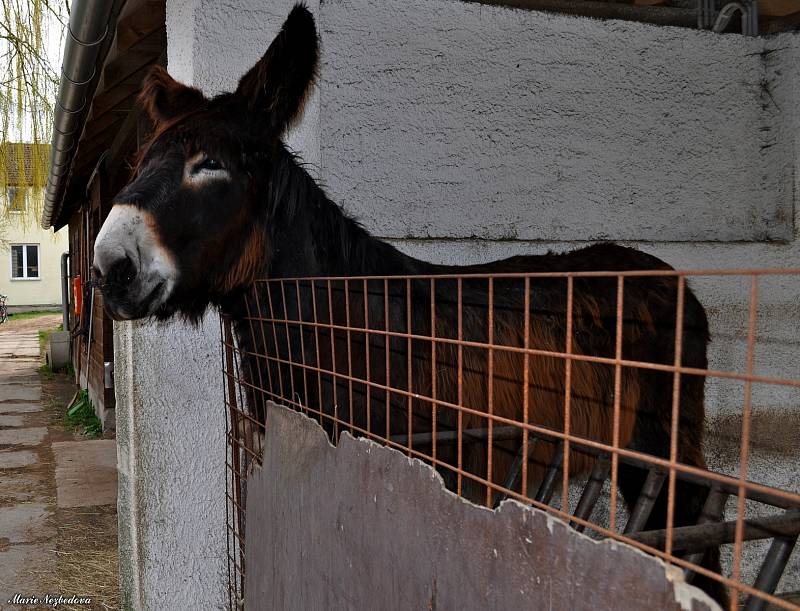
<point x="312" y="236"/>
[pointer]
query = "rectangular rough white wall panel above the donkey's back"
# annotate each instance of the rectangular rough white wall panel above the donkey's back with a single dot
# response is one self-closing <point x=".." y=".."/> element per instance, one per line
<point x="514" y="124"/>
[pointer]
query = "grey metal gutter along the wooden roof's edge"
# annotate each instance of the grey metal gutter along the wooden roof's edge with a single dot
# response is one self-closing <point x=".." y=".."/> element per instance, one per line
<point x="90" y="25"/>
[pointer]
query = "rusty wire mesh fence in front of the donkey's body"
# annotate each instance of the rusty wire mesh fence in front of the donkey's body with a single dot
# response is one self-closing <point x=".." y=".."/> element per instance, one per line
<point x="465" y="373"/>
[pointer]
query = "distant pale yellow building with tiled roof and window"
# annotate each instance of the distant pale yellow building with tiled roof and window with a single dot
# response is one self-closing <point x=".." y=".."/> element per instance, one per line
<point x="30" y="257"/>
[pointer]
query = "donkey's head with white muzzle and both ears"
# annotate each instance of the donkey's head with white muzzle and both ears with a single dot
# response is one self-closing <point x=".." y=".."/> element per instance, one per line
<point x="189" y="228"/>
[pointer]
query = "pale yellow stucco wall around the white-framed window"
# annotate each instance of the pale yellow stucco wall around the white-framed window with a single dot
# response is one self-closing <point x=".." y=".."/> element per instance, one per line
<point x="46" y="290"/>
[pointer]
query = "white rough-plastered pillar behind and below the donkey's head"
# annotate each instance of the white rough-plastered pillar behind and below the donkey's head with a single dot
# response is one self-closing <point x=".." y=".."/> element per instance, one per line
<point x="171" y="418"/>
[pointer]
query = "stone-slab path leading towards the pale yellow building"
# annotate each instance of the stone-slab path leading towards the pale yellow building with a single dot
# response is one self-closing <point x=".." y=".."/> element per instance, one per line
<point x="39" y="474"/>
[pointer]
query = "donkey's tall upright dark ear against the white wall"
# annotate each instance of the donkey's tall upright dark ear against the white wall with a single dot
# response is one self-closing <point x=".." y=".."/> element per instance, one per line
<point x="280" y="81"/>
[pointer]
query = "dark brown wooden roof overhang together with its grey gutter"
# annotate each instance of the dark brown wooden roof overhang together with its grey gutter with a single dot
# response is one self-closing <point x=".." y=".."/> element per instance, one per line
<point x="109" y="47"/>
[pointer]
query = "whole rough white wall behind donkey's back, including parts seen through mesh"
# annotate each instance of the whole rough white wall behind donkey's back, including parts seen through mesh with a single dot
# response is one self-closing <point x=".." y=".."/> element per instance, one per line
<point x="468" y="133"/>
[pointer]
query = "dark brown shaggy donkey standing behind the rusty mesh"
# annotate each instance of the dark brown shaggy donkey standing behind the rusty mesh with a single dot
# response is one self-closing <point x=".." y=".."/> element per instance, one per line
<point x="217" y="202"/>
